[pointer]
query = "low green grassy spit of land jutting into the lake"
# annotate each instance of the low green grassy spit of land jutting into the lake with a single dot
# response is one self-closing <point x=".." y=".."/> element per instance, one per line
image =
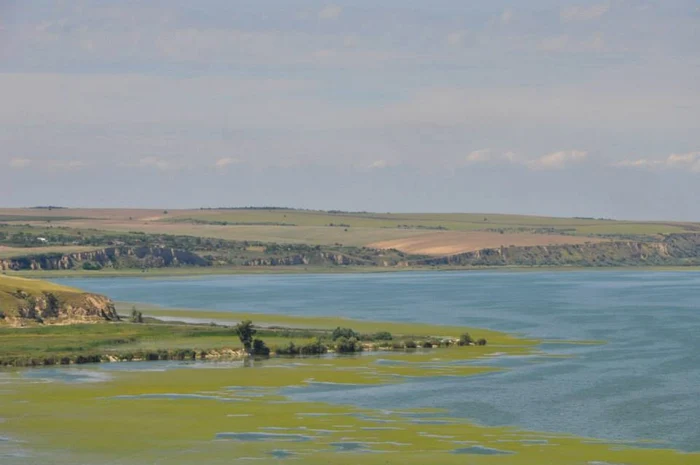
<point x="198" y="335"/>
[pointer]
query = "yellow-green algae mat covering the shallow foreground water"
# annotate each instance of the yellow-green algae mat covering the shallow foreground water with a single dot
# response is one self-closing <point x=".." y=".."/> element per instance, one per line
<point x="208" y="415"/>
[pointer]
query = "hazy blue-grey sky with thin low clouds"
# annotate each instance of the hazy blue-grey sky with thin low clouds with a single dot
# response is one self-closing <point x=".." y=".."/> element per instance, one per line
<point x="564" y="108"/>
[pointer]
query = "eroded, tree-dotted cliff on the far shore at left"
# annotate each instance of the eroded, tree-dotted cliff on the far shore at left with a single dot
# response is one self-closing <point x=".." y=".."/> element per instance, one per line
<point x="110" y="257"/>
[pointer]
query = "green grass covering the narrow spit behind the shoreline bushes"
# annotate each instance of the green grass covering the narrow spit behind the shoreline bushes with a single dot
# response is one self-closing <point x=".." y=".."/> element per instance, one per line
<point x="44" y="341"/>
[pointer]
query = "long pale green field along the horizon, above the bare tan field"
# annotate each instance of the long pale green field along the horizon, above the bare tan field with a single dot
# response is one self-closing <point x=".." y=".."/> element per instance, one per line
<point x="312" y="226"/>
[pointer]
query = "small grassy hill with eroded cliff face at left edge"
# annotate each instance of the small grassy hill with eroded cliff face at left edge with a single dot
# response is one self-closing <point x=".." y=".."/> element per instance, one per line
<point x="31" y="301"/>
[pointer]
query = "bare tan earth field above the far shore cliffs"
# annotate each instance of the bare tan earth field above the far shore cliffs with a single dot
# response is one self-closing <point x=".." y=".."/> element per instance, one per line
<point x="450" y="243"/>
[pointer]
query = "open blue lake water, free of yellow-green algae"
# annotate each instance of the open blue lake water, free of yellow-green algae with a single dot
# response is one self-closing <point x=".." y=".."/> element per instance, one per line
<point x="643" y="383"/>
